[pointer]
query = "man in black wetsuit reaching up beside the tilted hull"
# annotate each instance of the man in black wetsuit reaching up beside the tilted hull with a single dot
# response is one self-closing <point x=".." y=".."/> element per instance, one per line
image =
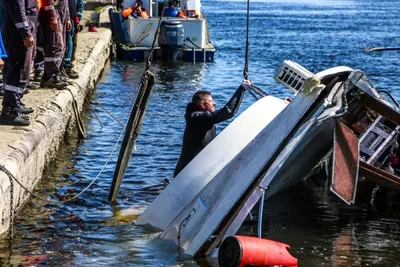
<point x="201" y="118"/>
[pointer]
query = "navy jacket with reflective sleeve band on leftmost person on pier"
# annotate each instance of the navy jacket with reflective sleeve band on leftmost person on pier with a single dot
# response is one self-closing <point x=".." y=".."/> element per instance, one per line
<point x="18" y="10"/>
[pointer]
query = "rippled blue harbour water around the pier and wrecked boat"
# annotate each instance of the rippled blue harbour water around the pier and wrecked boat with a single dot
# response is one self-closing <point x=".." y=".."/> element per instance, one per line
<point x="321" y="230"/>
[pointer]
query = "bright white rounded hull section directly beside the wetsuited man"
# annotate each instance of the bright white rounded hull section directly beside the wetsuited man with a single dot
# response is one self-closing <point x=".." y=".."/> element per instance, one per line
<point x="211" y="161"/>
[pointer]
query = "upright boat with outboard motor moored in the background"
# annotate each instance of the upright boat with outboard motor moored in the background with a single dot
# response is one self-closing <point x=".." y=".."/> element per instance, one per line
<point x="184" y="33"/>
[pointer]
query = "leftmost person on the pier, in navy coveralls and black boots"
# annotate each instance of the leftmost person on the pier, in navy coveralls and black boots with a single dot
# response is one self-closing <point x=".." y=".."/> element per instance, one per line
<point x="19" y="33"/>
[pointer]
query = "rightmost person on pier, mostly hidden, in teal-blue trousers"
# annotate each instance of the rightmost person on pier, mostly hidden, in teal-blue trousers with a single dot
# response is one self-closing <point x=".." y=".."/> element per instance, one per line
<point x="76" y="12"/>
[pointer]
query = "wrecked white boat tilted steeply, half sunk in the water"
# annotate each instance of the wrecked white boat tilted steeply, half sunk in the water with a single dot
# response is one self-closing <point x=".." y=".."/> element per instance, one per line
<point x="336" y="111"/>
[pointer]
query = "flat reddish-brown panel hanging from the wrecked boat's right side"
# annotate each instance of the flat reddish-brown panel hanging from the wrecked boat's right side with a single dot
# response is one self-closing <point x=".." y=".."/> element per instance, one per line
<point x="345" y="163"/>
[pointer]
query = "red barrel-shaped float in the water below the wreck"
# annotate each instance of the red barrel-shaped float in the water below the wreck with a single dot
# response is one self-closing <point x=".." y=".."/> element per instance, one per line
<point x="240" y="251"/>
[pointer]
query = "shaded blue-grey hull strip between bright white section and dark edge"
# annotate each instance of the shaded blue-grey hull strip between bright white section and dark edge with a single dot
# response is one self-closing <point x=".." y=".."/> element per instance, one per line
<point x="200" y="218"/>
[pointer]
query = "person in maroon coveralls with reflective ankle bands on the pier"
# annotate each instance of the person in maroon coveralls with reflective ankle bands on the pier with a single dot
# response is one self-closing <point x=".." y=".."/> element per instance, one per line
<point x="55" y="22"/>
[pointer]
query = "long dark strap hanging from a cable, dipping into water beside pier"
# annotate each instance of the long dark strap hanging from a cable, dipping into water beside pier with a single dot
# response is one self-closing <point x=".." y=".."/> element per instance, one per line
<point x="135" y="120"/>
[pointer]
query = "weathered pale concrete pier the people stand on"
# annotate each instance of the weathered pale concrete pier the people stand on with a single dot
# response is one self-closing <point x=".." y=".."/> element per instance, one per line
<point x="25" y="151"/>
